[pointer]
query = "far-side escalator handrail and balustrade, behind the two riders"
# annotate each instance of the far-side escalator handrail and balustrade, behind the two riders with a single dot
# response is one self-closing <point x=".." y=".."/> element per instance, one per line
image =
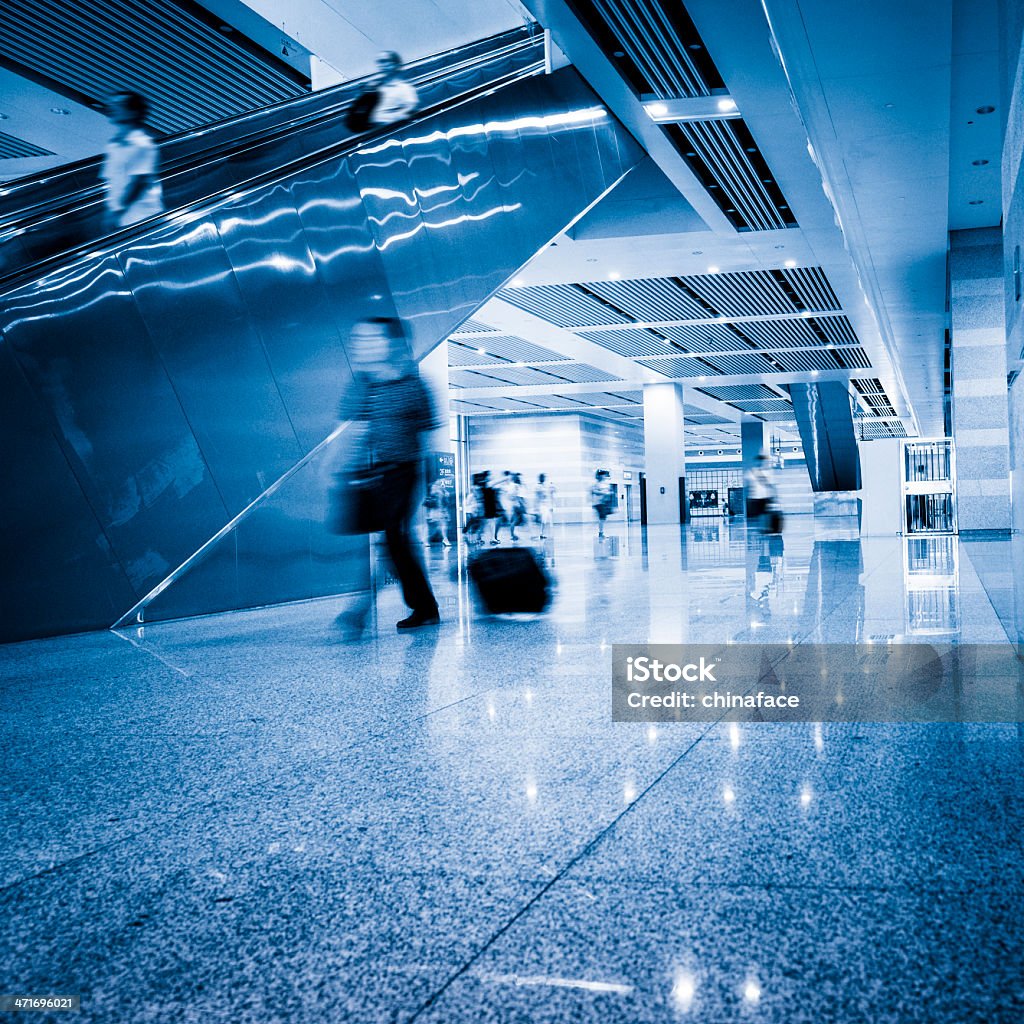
<point x="328" y="103"/>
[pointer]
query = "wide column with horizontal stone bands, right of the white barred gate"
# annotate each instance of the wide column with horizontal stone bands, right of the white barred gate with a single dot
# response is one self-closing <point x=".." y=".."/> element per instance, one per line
<point x="980" y="411"/>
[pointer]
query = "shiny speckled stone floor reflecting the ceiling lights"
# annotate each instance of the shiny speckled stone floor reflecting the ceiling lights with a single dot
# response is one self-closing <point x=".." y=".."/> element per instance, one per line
<point x="244" y="819"/>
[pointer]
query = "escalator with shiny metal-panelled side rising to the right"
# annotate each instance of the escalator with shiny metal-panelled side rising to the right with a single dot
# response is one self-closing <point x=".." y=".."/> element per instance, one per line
<point x="167" y="391"/>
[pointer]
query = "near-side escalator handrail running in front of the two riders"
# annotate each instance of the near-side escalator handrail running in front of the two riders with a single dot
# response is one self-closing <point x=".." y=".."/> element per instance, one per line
<point x="112" y="243"/>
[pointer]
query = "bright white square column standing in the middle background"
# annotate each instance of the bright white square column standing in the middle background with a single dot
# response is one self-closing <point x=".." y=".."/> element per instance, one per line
<point x="665" y="462"/>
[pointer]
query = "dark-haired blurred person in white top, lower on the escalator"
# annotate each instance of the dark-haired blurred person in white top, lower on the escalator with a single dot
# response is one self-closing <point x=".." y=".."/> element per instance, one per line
<point x="132" y="164"/>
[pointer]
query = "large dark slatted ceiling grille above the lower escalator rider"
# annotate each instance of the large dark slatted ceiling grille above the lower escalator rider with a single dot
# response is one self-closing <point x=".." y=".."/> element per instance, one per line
<point x="173" y="52"/>
